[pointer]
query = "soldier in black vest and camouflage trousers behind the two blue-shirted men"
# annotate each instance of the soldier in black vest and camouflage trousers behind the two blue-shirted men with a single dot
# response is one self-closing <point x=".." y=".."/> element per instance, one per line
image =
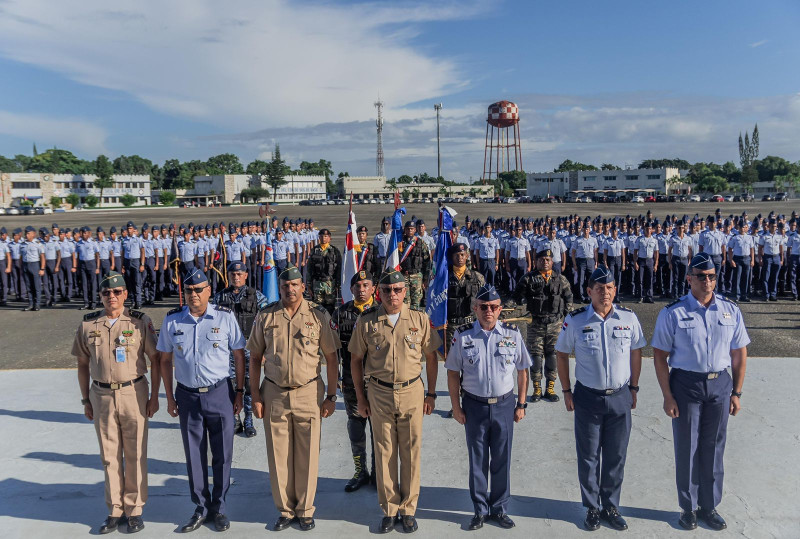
<point x="549" y="299"/>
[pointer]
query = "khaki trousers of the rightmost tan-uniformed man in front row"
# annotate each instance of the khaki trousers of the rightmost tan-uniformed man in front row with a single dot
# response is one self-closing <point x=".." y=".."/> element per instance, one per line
<point x="397" y="432"/>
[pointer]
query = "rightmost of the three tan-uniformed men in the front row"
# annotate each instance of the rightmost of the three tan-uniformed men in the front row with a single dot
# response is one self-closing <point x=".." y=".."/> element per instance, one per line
<point x="393" y="339"/>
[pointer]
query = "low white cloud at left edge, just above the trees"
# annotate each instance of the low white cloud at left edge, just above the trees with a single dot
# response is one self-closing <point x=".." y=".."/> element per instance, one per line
<point x="75" y="134"/>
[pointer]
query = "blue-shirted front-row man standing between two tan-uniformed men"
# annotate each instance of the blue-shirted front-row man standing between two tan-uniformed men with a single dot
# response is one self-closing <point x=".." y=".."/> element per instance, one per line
<point x="198" y="338"/>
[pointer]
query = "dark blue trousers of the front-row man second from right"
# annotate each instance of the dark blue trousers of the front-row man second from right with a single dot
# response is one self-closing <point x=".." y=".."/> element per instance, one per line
<point x="602" y="431"/>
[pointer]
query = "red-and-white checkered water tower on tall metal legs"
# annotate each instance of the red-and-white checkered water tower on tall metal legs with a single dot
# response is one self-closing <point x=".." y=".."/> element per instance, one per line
<point x="502" y="151"/>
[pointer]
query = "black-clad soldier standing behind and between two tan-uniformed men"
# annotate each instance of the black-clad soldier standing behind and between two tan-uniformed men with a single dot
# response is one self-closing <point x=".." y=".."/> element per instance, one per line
<point x="344" y="318"/>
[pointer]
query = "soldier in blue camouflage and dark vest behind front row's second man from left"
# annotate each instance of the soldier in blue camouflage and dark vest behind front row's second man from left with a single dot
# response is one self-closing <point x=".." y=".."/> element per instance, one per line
<point x="244" y="302"/>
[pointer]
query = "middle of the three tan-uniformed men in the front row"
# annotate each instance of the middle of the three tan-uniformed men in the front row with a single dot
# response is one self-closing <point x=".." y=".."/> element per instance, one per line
<point x="287" y="337"/>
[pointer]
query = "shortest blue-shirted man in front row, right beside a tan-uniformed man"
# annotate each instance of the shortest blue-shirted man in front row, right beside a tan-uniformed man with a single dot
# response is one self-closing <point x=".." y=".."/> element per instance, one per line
<point x="482" y="364"/>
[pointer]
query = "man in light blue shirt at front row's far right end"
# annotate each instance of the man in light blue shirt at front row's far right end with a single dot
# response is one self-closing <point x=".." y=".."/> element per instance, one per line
<point x="696" y="339"/>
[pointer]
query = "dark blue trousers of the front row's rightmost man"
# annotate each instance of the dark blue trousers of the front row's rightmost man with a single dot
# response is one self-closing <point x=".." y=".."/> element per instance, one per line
<point x="699" y="434"/>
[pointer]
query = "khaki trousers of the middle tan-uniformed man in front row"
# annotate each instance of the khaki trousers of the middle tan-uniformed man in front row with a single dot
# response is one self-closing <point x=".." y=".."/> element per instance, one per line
<point x="292" y="423"/>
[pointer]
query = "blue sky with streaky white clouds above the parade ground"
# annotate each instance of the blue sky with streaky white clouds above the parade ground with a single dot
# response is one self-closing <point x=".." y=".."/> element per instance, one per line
<point x="613" y="81"/>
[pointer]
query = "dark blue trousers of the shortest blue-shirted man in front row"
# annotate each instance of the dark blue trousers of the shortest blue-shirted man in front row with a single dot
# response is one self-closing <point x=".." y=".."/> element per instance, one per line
<point x="490" y="430"/>
